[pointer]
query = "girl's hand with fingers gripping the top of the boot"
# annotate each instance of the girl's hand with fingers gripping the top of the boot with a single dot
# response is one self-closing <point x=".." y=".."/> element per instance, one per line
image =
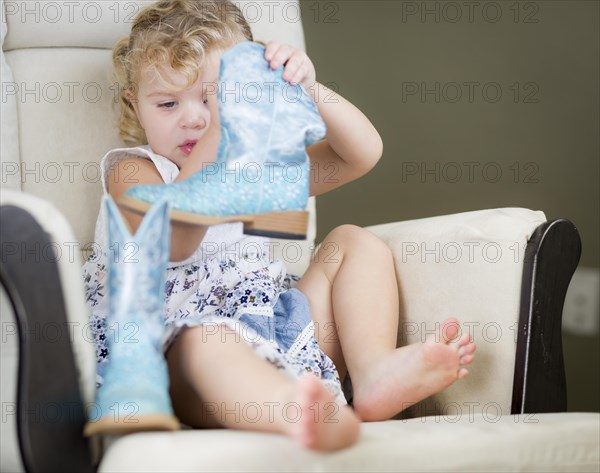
<point x="298" y="69"/>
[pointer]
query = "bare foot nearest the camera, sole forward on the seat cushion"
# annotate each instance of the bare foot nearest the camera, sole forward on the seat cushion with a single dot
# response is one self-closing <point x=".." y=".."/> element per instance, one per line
<point x="324" y="424"/>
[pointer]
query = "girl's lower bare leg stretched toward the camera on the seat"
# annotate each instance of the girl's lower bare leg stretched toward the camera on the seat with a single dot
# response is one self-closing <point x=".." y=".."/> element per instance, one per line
<point x="218" y="381"/>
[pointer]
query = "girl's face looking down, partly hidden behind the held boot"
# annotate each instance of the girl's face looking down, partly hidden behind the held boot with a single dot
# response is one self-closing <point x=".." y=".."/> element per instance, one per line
<point x="174" y="121"/>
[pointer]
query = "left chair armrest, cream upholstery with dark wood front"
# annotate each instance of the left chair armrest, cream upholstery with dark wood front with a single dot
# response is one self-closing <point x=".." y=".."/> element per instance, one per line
<point x="41" y="275"/>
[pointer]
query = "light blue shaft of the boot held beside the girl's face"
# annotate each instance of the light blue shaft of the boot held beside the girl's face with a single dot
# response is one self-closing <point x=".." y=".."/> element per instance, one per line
<point x="263" y="118"/>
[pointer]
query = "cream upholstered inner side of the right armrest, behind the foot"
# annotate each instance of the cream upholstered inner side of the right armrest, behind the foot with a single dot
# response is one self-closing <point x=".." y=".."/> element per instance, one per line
<point x="469" y="266"/>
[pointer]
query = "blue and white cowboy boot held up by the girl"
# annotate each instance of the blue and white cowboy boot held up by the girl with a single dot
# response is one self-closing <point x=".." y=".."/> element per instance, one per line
<point x="261" y="175"/>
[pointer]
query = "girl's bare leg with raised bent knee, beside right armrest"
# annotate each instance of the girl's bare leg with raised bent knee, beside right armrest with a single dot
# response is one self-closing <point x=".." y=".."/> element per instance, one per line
<point x="353" y="294"/>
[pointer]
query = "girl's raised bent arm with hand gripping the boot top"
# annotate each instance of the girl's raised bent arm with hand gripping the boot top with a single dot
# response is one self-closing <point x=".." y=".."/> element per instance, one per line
<point x="352" y="146"/>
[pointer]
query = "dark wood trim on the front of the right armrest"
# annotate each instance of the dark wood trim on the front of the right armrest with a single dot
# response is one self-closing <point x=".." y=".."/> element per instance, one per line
<point x="551" y="256"/>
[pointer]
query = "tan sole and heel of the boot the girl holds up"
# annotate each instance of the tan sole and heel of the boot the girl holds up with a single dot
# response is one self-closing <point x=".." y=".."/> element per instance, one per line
<point x="289" y="224"/>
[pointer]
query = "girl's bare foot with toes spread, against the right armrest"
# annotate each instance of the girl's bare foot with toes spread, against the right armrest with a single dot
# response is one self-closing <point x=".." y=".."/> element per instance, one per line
<point x="410" y="374"/>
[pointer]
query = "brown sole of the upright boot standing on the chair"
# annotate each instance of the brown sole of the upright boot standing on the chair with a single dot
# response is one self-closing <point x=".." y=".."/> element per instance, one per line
<point x="109" y="426"/>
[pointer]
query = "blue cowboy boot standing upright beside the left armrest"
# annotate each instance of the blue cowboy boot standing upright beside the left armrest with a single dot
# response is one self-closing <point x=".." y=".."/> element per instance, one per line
<point x="135" y="393"/>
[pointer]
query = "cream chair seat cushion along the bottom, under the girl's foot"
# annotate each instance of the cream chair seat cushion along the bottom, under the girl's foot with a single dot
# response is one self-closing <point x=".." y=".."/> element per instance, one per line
<point x="476" y="442"/>
